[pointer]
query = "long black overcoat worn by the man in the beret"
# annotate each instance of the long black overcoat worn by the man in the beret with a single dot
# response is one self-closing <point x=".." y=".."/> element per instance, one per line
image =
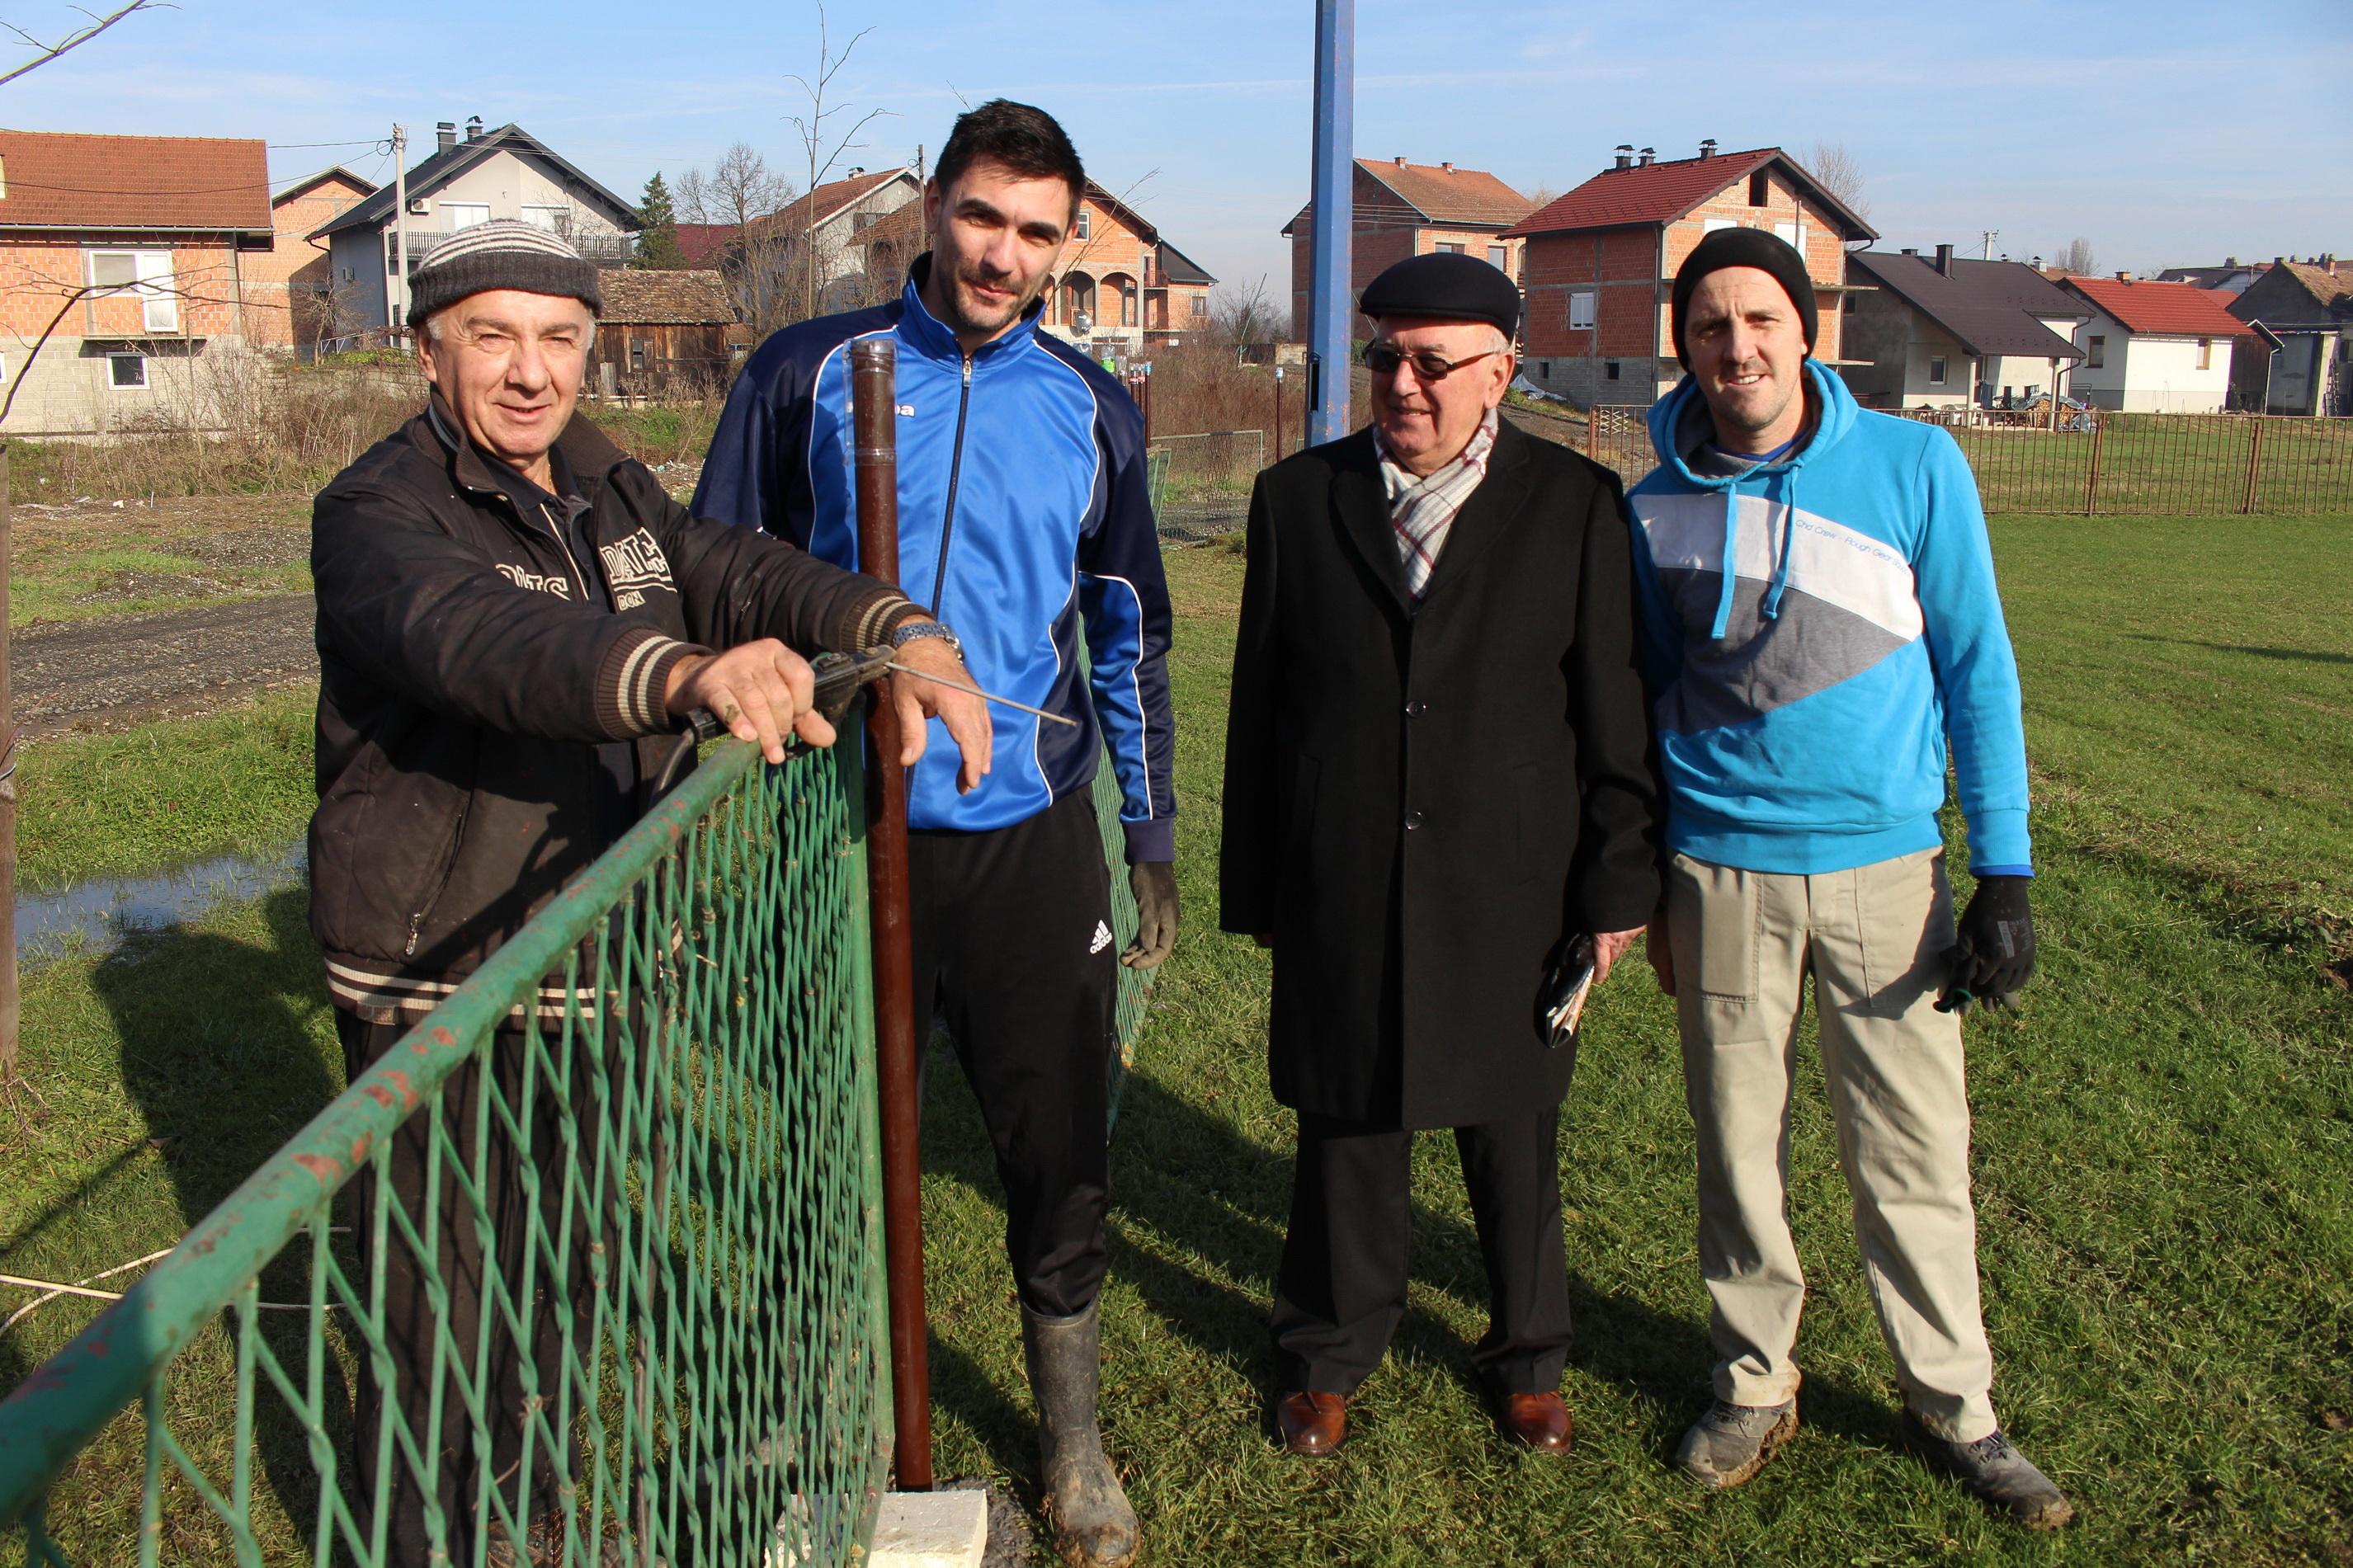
<point x="1422" y="800"/>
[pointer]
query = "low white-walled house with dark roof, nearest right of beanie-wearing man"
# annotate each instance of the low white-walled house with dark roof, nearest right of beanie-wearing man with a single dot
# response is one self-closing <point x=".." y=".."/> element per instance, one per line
<point x="1949" y="333"/>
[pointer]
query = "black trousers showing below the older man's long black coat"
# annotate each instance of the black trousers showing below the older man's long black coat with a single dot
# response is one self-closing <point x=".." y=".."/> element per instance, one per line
<point x="1340" y="1289"/>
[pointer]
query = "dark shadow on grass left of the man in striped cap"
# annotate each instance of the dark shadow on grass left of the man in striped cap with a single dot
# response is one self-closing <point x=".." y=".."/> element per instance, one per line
<point x="222" y="1057"/>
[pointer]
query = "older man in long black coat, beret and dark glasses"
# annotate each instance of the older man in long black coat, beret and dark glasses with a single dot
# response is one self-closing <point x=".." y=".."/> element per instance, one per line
<point x="1437" y="770"/>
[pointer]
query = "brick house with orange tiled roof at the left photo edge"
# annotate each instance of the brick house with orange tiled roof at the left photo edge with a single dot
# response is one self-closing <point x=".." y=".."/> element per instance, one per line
<point x="121" y="274"/>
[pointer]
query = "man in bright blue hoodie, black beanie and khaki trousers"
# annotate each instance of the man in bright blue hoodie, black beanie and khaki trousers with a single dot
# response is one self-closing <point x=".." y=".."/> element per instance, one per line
<point x="1820" y="624"/>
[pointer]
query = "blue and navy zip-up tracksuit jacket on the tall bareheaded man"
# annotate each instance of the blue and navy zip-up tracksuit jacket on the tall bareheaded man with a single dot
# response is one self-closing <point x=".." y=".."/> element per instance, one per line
<point x="1022" y="516"/>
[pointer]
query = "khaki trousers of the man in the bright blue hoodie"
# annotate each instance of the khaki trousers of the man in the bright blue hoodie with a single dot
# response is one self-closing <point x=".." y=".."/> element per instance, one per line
<point x="1874" y="942"/>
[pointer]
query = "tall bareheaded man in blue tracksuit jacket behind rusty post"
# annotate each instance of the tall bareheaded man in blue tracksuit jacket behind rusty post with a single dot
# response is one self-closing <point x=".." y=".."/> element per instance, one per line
<point x="1025" y="523"/>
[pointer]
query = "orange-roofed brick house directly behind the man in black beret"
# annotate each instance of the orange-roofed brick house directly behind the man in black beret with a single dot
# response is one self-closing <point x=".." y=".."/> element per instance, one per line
<point x="1411" y="210"/>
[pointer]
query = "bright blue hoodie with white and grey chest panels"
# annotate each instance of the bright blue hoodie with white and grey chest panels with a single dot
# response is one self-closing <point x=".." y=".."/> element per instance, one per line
<point x="1806" y="697"/>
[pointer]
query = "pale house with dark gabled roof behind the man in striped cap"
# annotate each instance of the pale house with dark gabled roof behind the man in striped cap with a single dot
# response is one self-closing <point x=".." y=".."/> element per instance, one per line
<point x="488" y="175"/>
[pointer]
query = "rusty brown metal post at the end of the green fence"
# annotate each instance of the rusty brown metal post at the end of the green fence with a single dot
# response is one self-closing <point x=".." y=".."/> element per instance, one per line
<point x="876" y="443"/>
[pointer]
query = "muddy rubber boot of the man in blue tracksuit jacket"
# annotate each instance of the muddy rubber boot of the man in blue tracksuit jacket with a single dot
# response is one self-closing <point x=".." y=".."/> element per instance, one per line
<point x="1084" y="1499"/>
